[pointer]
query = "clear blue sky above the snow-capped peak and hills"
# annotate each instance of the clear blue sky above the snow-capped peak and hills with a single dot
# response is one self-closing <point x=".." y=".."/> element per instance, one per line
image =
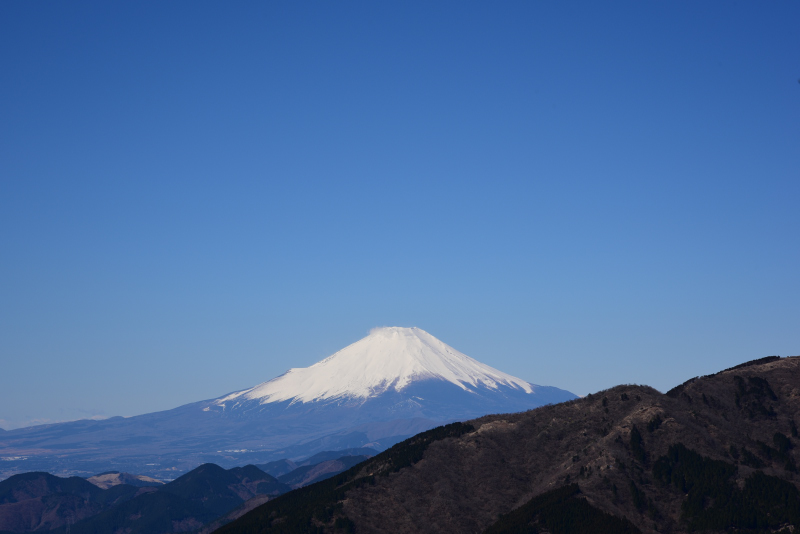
<point x="197" y="196"/>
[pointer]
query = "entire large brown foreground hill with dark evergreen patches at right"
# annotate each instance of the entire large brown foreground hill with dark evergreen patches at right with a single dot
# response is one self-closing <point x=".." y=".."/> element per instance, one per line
<point x="717" y="454"/>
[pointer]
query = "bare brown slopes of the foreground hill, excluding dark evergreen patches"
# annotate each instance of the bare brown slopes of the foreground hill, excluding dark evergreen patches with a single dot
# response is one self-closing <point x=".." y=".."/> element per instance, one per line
<point x="463" y="484"/>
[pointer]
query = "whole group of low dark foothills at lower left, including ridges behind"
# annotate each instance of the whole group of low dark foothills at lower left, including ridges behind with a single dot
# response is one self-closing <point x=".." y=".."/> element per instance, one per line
<point x="205" y="498"/>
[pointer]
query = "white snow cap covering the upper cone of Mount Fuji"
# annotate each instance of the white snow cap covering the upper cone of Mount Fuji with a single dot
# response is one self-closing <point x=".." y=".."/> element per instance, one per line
<point x="388" y="358"/>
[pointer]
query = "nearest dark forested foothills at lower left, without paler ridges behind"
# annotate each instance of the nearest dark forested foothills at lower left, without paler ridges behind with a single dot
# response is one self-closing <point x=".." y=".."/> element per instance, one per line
<point x="43" y="502"/>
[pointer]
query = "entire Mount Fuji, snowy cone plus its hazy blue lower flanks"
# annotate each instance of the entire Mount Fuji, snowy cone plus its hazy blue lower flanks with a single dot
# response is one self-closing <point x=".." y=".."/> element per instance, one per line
<point x="388" y="386"/>
